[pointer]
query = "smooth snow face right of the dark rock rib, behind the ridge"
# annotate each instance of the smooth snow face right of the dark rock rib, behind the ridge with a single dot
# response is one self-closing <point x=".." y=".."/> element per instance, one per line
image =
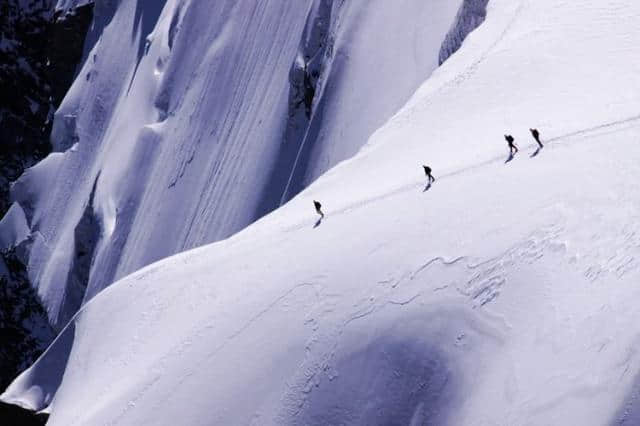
<point x="374" y="57"/>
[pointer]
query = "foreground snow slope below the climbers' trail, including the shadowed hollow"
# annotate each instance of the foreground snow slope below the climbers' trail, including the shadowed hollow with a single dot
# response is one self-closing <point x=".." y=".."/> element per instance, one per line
<point x="527" y="319"/>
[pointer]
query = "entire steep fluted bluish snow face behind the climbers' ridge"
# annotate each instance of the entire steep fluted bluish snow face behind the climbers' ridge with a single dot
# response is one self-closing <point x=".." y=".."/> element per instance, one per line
<point x="186" y="110"/>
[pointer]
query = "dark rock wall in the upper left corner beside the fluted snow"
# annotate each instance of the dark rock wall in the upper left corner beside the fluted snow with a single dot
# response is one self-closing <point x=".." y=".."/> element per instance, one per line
<point x="39" y="54"/>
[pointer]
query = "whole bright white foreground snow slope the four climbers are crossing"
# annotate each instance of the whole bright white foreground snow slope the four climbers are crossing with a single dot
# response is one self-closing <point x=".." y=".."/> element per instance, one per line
<point x="505" y="294"/>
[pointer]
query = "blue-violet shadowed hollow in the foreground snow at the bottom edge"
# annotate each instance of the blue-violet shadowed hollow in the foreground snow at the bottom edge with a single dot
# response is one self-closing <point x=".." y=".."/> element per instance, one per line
<point x="394" y="380"/>
